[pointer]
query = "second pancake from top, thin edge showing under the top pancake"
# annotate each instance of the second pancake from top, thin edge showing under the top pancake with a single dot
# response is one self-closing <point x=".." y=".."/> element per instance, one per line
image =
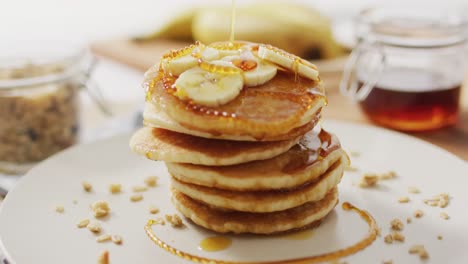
<point x="154" y="117"/>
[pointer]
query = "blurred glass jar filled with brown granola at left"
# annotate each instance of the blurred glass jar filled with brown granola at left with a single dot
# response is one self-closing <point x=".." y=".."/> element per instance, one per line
<point x="39" y="110"/>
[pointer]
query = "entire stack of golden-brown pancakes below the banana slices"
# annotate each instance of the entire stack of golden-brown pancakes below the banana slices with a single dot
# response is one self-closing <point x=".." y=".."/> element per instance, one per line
<point x="258" y="164"/>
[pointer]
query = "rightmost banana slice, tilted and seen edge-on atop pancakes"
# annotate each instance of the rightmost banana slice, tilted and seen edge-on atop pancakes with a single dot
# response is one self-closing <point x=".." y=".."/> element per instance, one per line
<point x="289" y="61"/>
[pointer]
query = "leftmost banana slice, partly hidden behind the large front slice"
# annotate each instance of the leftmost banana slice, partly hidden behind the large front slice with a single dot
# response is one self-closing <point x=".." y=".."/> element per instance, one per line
<point x="177" y="66"/>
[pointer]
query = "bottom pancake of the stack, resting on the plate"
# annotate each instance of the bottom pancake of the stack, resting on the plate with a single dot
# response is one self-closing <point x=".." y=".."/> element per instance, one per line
<point x="306" y="215"/>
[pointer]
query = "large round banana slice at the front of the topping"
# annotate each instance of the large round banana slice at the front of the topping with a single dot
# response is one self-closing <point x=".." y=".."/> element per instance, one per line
<point x="209" y="88"/>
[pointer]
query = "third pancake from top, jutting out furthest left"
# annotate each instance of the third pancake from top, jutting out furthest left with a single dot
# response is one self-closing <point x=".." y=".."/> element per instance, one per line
<point x="169" y="146"/>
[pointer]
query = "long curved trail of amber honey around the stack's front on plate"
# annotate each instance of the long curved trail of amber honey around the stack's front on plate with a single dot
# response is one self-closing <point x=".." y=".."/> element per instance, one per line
<point x="360" y="245"/>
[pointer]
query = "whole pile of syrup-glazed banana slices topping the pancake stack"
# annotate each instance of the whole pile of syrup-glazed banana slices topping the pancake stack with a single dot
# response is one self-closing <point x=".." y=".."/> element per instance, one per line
<point x="215" y="74"/>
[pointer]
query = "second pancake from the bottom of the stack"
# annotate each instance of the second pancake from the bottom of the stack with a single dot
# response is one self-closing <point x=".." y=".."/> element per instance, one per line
<point x="264" y="201"/>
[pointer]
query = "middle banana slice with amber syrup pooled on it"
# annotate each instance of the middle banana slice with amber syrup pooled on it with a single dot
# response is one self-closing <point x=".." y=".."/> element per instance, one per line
<point x="255" y="72"/>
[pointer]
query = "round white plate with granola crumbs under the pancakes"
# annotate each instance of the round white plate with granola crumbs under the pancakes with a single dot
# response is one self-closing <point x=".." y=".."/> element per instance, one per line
<point x="32" y="232"/>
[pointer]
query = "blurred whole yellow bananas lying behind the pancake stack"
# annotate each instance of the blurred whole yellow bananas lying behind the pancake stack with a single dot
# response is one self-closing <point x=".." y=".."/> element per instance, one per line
<point x="295" y="28"/>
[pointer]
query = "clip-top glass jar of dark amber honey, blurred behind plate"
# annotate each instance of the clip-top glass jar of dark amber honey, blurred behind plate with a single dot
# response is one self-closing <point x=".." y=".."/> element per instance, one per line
<point x="407" y="69"/>
